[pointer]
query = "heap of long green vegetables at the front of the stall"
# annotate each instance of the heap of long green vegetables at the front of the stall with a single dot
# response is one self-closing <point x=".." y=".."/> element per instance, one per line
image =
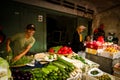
<point x="58" y="69"/>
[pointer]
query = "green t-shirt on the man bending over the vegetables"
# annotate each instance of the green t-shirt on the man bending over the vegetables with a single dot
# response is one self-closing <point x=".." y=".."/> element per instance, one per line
<point x="20" y="43"/>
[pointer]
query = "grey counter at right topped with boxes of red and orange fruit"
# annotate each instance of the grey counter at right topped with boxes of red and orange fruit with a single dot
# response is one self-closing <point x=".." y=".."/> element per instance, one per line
<point x="105" y="54"/>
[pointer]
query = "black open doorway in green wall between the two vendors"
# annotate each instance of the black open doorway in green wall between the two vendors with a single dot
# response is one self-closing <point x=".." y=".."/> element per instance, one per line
<point x="59" y="29"/>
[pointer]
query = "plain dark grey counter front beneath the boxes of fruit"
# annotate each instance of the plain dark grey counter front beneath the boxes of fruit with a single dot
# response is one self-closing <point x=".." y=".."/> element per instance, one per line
<point x="106" y="64"/>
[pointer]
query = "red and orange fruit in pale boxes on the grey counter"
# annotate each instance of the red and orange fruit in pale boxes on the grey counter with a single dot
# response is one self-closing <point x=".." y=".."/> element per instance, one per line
<point x="106" y="49"/>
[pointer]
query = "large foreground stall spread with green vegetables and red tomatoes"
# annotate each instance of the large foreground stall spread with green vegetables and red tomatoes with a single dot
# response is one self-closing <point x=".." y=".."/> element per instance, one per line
<point x="59" y="63"/>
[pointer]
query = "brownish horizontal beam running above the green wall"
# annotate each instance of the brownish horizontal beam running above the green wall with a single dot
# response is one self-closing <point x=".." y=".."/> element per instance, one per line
<point x="62" y="8"/>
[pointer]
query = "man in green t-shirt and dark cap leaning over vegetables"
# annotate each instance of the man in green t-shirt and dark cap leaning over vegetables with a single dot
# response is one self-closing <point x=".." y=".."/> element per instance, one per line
<point x="22" y="42"/>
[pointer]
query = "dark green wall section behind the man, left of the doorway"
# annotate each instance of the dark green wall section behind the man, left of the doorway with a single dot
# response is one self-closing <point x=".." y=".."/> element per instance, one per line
<point x="15" y="16"/>
